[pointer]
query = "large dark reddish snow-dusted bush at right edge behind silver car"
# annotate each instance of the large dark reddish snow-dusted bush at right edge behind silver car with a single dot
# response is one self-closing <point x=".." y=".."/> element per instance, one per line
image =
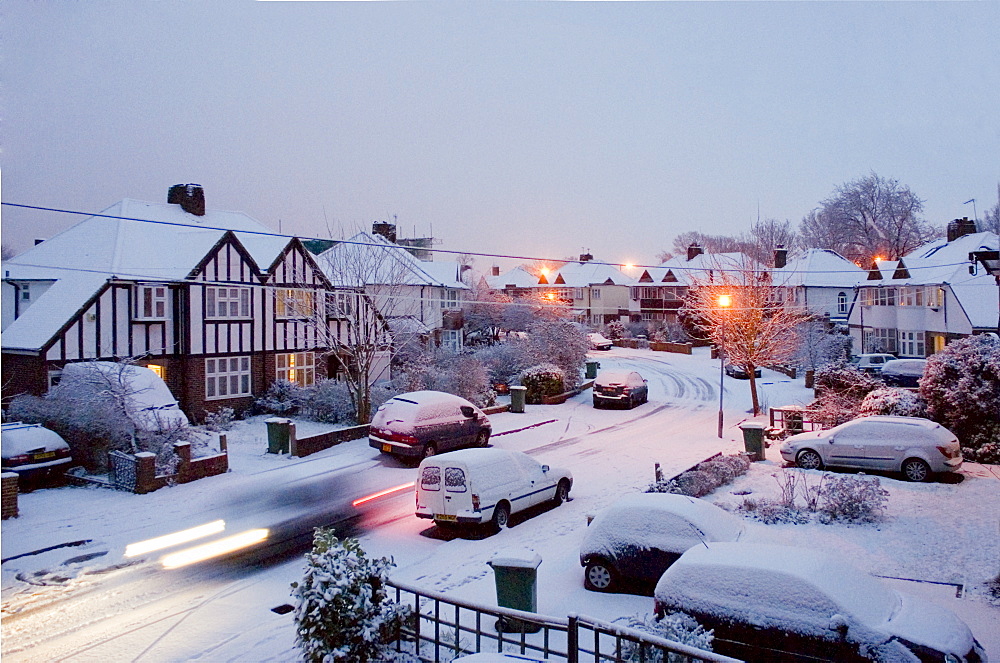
<point x="961" y="385"/>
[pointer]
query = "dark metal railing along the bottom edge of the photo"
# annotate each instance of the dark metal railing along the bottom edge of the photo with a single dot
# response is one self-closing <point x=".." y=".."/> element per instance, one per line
<point x="443" y="628"/>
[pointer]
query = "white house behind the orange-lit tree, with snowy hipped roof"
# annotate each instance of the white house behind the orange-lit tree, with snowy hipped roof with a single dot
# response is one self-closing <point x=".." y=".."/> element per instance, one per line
<point x="819" y="280"/>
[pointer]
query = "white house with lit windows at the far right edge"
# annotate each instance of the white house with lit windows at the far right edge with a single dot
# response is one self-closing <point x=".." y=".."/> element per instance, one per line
<point x="914" y="306"/>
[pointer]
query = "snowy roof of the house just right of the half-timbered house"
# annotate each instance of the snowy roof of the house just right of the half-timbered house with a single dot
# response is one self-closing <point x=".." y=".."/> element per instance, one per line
<point x="370" y="259"/>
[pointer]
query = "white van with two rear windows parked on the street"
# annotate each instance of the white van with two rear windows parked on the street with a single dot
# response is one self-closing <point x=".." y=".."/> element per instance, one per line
<point x="475" y="486"/>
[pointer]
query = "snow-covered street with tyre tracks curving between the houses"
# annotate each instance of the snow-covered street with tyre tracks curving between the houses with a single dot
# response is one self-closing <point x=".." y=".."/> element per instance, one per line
<point x="86" y="602"/>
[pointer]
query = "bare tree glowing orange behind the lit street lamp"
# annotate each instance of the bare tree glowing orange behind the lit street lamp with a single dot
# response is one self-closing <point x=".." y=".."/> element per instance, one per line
<point x="755" y="328"/>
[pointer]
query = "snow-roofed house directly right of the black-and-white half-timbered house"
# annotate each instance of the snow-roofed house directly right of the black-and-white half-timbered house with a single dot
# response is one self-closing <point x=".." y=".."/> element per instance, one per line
<point x="416" y="297"/>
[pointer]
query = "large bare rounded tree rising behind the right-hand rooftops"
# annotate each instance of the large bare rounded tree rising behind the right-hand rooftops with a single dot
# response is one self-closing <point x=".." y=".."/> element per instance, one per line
<point x="867" y="218"/>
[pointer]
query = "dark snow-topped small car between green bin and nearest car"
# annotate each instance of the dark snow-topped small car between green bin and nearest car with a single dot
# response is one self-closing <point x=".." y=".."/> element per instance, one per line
<point x="635" y="539"/>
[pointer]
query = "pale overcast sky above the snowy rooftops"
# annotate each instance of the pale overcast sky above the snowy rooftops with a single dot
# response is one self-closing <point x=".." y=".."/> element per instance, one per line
<point x="515" y="128"/>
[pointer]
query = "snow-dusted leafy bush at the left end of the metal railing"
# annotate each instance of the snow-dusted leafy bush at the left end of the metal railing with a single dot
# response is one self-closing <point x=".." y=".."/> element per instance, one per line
<point x="342" y="609"/>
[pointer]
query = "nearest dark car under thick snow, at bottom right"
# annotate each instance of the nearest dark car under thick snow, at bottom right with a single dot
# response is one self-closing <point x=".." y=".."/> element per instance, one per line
<point x="770" y="602"/>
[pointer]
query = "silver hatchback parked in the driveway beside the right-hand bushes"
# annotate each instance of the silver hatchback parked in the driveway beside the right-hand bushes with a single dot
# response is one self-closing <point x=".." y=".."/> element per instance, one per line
<point x="914" y="446"/>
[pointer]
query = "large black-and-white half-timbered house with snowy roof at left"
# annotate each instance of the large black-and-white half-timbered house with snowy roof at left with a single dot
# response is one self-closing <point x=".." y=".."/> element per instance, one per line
<point x="212" y="301"/>
